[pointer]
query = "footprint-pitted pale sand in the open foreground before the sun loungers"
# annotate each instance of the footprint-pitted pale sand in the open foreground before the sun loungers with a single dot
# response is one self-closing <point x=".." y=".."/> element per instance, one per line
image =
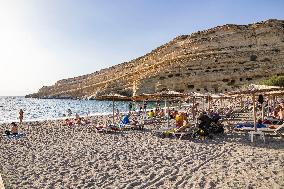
<point x="54" y="156"/>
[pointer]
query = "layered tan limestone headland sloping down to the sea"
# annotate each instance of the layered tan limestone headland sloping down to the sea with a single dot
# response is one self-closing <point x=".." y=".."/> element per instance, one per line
<point x="216" y="60"/>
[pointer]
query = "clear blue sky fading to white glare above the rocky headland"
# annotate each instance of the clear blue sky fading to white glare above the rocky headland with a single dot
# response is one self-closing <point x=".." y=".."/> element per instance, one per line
<point x="43" y="41"/>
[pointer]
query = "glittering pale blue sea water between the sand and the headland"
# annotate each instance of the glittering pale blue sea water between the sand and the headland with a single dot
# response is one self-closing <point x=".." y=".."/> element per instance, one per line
<point x="42" y="109"/>
